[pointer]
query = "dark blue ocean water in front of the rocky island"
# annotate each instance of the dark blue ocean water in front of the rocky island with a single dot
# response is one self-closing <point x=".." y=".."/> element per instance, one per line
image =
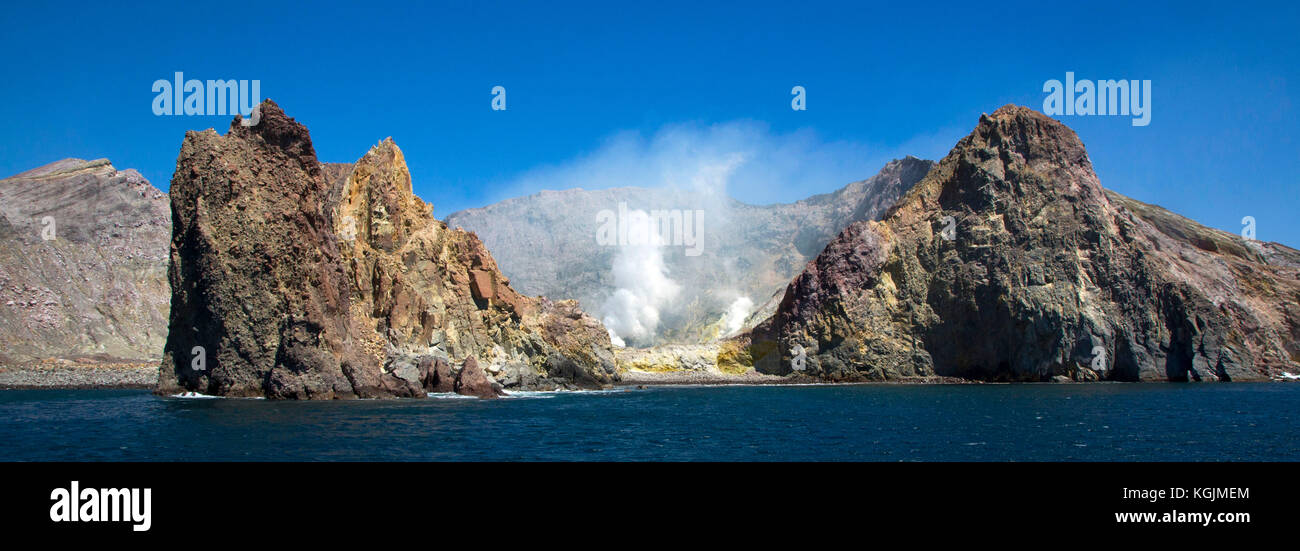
<point x="873" y="423"/>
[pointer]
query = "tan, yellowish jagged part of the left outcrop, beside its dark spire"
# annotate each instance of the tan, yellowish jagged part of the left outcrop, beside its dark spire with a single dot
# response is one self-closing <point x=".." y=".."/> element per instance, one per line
<point x="424" y="289"/>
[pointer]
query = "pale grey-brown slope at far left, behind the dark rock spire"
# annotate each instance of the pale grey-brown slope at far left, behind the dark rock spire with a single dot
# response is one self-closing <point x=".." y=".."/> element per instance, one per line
<point x="83" y="264"/>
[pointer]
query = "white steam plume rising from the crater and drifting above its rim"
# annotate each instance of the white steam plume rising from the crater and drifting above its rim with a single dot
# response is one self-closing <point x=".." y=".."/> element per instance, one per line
<point x="701" y="167"/>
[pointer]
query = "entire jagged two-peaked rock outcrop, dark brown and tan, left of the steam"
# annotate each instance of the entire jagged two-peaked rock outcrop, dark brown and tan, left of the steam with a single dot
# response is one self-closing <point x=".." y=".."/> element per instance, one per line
<point x="309" y="281"/>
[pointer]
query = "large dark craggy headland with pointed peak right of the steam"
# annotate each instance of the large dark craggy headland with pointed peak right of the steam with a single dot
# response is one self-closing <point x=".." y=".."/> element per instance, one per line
<point x="1047" y="277"/>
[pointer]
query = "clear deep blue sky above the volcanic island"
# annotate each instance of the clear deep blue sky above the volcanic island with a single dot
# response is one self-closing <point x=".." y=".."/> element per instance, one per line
<point x="882" y="80"/>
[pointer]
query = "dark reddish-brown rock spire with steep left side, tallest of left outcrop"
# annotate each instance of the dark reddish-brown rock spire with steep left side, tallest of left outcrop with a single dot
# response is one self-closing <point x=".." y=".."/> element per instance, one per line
<point x="258" y="285"/>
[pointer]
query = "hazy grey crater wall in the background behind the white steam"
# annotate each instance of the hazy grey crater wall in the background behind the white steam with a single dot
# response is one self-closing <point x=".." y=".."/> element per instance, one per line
<point x="548" y="245"/>
